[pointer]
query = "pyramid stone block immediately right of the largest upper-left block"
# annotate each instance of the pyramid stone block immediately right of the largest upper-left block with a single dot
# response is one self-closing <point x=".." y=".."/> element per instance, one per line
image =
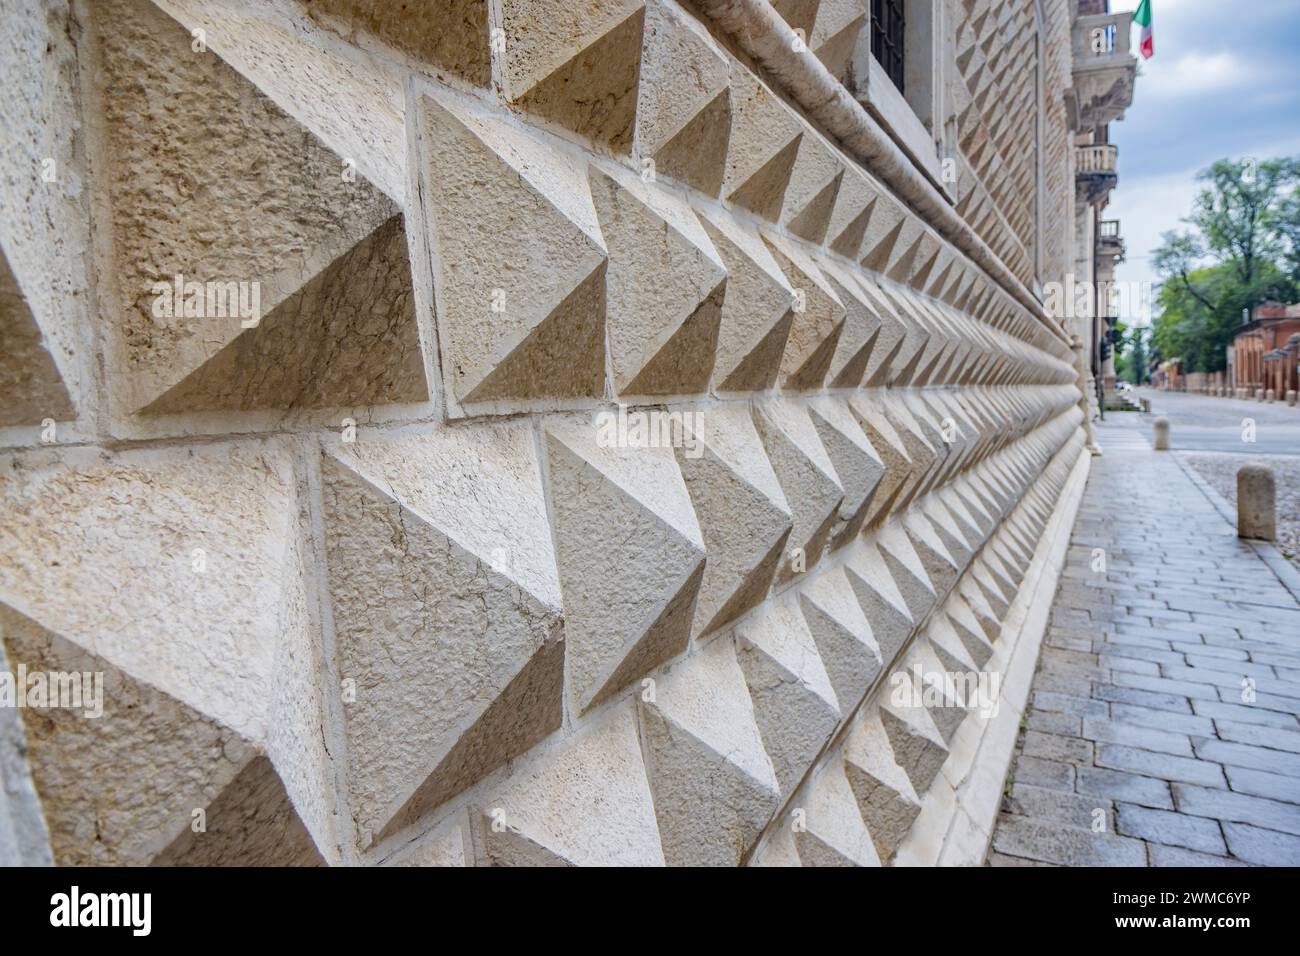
<point x="519" y="263"/>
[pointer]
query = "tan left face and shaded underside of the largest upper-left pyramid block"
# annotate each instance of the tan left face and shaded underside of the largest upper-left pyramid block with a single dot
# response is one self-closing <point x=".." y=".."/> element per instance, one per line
<point x="307" y="305"/>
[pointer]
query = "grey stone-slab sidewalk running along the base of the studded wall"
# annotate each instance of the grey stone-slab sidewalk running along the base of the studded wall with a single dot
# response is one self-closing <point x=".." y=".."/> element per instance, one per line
<point x="1164" y="728"/>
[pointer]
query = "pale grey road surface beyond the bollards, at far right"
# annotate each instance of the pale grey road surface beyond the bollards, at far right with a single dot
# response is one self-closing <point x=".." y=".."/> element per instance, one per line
<point x="1201" y="423"/>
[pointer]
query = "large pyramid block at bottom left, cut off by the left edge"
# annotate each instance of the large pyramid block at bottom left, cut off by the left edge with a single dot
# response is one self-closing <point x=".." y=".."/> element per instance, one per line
<point x="201" y="739"/>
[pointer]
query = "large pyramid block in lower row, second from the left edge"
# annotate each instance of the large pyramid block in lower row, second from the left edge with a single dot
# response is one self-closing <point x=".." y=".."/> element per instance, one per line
<point x="447" y="611"/>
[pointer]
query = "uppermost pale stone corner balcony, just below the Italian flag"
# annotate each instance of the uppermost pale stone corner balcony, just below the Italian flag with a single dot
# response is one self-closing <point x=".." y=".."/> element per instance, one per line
<point x="1104" y="68"/>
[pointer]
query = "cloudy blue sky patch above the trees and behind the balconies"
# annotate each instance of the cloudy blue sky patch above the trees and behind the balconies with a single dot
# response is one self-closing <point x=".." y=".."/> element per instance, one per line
<point x="1225" y="81"/>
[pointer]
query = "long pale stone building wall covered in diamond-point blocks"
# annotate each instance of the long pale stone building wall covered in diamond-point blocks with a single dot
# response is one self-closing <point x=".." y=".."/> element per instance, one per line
<point x="528" y="432"/>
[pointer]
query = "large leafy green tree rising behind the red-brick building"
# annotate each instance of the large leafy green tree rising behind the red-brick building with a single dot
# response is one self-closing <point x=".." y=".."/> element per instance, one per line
<point x="1241" y="250"/>
